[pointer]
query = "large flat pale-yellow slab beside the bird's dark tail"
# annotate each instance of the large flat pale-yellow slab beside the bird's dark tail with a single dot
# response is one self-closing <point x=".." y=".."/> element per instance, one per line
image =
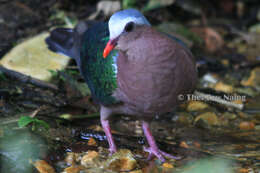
<point x="32" y="58"/>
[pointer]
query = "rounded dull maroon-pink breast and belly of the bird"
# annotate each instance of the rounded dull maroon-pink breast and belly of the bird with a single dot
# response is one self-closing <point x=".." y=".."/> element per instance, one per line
<point x="152" y="71"/>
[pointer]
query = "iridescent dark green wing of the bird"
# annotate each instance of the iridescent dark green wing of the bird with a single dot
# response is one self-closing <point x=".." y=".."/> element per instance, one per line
<point x="100" y="73"/>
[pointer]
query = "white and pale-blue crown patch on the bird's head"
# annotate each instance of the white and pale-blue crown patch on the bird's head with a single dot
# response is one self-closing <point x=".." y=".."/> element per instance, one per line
<point x="118" y="21"/>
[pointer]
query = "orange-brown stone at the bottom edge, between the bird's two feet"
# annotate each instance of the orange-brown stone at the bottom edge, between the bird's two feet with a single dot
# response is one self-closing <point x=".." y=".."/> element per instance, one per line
<point x="123" y="160"/>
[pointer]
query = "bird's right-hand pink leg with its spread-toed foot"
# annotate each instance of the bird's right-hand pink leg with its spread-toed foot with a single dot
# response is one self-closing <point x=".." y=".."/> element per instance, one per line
<point x="153" y="149"/>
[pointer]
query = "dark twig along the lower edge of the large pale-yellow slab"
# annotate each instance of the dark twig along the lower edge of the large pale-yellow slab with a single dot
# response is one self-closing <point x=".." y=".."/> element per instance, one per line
<point x="27" y="79"/>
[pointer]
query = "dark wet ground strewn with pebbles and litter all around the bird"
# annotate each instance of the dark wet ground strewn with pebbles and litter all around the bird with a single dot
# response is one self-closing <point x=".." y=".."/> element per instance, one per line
<point x="217" y="128"/>
